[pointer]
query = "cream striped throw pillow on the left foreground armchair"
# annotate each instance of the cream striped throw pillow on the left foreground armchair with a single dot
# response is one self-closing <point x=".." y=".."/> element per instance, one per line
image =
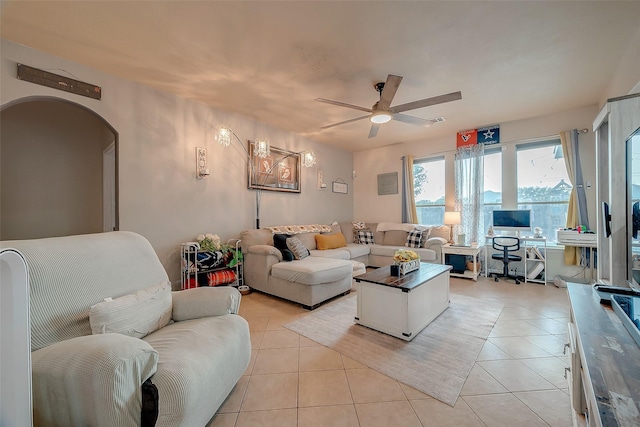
<point x="135" y="315"/>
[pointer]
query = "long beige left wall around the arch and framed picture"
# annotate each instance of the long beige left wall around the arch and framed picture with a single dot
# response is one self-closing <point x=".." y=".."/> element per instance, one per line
<point x="160" y="196"/>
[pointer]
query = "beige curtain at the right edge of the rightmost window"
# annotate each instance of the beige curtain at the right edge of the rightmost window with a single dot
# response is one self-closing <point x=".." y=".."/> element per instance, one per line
<point x="577" y="210"/>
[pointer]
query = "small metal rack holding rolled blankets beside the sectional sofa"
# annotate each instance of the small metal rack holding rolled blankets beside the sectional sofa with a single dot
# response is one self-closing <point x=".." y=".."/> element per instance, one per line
<point x="189" y="268"/>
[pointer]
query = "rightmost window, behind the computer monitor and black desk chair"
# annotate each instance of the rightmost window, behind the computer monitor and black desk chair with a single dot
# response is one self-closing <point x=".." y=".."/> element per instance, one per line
<point x="543" y="184"/>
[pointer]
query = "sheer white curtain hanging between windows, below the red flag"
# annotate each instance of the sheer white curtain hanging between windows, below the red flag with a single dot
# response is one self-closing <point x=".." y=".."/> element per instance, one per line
<point x="469" y="170"/>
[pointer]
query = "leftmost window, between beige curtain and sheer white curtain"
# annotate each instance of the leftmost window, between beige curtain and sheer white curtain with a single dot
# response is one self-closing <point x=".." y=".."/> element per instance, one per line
<point x="429" y="186"/>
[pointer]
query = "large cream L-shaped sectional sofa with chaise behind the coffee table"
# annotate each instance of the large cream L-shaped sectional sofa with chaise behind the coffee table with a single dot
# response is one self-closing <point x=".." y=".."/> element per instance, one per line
<point x="326" y="273"/>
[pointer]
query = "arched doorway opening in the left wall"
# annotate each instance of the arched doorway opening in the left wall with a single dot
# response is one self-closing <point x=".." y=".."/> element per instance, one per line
<point x="58" y="170"/>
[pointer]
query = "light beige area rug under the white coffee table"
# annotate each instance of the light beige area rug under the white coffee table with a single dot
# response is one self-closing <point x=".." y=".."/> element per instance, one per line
<point x="436" y="362"/>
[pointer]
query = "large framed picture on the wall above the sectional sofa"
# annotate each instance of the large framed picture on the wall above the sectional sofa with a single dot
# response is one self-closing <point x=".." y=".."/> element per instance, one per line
<point x="279" y="171"/>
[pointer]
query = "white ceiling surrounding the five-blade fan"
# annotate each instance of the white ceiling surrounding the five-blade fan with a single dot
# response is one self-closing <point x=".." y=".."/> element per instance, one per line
<point x="269" y="60"/>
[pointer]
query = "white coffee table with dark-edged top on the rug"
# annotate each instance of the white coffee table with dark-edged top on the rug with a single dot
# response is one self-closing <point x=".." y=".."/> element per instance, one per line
<point x="402" y="306"/>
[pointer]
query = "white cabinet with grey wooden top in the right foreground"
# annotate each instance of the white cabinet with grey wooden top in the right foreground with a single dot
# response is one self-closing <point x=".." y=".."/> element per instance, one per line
<point x="604" y="371"/>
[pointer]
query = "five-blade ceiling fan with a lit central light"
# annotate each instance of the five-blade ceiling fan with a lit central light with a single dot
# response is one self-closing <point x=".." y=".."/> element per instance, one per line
<point x="382" y="112"/>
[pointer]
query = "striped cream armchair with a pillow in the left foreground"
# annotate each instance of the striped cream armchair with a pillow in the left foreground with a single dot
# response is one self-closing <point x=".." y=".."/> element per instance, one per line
<point x="112" y="345"/>
